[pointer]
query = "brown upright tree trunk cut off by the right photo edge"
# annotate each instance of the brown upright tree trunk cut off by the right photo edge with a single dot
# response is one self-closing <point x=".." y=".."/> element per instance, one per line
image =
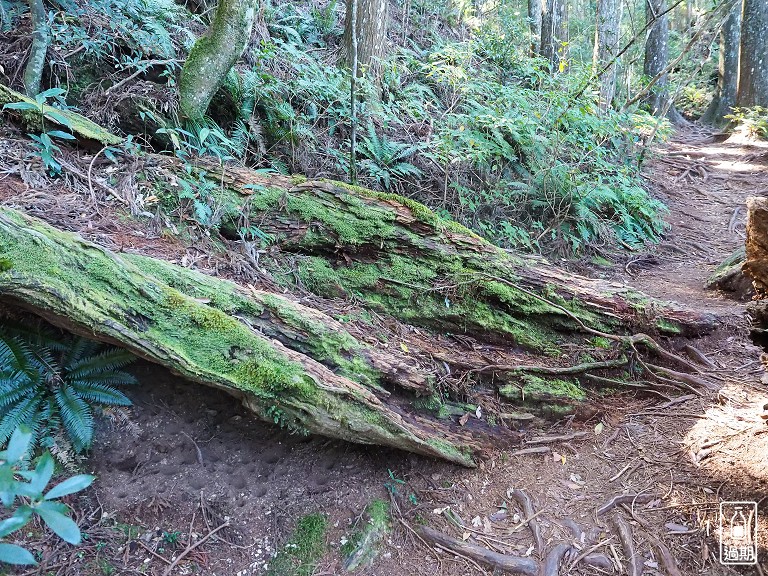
<point x="753" y="55"/>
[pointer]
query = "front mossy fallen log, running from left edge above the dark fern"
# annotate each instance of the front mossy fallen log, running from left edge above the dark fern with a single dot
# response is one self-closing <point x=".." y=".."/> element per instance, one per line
<point x="205" y="330"/>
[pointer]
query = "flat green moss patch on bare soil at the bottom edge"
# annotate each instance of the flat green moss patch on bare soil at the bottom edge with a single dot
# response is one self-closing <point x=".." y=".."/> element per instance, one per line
<point x="302" y="552"/>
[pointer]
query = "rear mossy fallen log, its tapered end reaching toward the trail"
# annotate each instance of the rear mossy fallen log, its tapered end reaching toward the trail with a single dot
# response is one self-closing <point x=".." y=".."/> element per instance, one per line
<point x="398" y="257"/>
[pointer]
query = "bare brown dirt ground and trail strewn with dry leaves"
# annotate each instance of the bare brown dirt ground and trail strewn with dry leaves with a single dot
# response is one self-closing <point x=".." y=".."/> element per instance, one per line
<point x="191" y="458"/>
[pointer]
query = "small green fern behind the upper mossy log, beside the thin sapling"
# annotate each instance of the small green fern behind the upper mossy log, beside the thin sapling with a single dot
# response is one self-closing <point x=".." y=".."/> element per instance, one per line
<point x="386" y="160"/>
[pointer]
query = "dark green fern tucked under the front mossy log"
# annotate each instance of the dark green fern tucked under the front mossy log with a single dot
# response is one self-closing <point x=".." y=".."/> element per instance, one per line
<point x="52" y="385"/>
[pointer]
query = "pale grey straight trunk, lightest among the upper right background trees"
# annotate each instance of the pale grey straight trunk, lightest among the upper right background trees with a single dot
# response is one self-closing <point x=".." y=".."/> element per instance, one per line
<point x="606" y="48"/>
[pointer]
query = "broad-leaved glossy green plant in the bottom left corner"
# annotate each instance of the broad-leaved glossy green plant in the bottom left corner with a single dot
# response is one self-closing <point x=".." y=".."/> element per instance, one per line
<point x="19" y="481"/>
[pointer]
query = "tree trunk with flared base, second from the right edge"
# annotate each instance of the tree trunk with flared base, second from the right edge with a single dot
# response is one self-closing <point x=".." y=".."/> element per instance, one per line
<point x="728" y="69"/>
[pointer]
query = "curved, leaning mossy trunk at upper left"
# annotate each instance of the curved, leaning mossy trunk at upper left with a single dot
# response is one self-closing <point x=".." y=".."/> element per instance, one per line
<point x="213" y="55"/>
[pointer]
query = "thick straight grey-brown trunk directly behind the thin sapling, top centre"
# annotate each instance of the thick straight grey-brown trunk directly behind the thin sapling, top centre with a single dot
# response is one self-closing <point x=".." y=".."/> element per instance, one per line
<point x="371" y="36"/>
